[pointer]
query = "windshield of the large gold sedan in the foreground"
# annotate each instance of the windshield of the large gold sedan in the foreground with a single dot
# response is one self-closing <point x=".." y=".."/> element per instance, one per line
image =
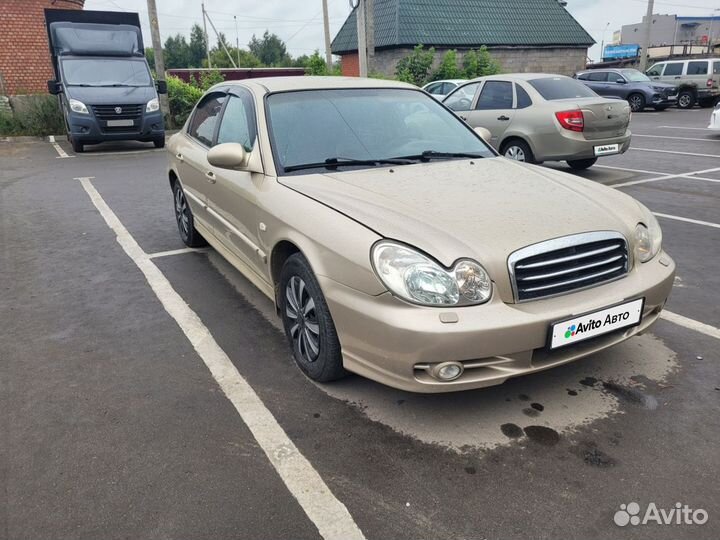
<point x="370" y="125"/>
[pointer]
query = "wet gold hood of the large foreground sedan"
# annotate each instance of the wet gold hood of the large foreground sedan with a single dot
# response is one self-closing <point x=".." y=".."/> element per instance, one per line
<point x="483" y="209"/>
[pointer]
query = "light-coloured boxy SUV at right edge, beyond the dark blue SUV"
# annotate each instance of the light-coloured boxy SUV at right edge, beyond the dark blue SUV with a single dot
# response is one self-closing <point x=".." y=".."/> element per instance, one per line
<point x="697" y="80"/>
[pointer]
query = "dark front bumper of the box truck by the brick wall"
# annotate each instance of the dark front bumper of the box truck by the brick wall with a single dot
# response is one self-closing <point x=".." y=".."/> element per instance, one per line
<point x="88" y="129"/>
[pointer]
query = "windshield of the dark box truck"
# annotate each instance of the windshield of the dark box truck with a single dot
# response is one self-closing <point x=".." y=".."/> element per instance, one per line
<point x="105" y="72"/>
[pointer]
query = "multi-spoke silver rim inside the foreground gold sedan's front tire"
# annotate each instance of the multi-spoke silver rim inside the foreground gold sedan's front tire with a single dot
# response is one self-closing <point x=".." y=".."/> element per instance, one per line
<point x="304" y="326"/>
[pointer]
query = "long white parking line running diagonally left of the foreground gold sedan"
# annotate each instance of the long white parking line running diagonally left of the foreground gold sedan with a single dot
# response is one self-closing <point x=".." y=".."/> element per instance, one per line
<point x="329" y="515"/>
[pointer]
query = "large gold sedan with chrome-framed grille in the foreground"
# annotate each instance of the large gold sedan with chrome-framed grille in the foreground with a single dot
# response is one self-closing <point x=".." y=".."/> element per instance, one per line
<point x="396" y="244"/>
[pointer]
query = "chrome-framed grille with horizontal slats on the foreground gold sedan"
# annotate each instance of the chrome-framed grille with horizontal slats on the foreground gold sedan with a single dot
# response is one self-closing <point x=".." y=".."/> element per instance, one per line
<point x="567" y="264"/>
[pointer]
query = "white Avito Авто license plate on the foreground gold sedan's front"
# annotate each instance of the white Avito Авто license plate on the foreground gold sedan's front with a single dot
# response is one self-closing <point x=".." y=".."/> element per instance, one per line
<point x="596" y="323"/>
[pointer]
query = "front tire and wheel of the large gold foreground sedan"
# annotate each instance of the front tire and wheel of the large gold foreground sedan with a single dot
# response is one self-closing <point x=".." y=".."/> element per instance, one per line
<point x="308" y="325"/>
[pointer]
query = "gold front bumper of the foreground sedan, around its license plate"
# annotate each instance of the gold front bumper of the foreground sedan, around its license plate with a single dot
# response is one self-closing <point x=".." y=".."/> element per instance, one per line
<point x="396" y="344"/>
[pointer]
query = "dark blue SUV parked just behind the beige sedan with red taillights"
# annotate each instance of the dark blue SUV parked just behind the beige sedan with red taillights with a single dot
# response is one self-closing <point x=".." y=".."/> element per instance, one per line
<point x="631" y="85"/>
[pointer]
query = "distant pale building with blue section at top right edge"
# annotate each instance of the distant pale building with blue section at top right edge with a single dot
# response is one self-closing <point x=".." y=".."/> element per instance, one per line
<point x="673" y="30"/>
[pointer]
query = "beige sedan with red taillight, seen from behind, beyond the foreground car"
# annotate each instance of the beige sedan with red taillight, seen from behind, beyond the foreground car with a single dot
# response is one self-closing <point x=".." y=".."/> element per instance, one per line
<point x="536" y="117"/>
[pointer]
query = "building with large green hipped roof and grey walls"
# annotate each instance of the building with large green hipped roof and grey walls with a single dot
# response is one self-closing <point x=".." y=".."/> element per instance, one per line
<point x="522" y="35"/>
